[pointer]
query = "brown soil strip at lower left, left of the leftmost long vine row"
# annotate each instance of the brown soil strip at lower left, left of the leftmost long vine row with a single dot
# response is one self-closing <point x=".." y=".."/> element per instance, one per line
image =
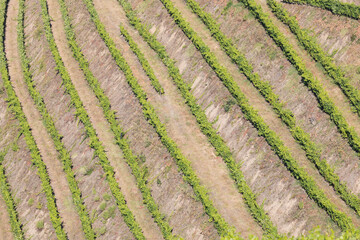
<point x="24" y="183"/>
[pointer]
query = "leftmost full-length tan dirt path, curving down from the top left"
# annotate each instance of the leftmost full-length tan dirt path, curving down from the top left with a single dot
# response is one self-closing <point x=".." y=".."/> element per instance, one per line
<point x="66" y="208"/>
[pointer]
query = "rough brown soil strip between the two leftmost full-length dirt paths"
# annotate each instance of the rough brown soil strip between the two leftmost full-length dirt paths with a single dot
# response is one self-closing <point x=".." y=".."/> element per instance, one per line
<point x="89" y="173"/>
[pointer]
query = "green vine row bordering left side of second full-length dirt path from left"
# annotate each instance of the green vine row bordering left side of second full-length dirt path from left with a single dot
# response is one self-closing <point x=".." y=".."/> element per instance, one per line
<point x="94" y="141"/>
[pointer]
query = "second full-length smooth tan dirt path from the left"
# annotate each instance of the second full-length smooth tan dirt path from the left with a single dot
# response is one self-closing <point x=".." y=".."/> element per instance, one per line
<point x="123" y="174"/>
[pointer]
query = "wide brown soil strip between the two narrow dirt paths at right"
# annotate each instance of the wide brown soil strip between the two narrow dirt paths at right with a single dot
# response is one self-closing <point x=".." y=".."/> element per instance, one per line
<point x="251" y="39"/>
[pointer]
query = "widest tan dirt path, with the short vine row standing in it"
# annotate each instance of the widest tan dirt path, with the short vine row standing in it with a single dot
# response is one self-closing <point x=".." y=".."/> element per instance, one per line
<point x="182" y="126"/>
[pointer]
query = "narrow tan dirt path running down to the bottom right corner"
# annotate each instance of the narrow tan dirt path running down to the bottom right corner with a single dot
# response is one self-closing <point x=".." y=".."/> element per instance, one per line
<point x="264" y="109"/>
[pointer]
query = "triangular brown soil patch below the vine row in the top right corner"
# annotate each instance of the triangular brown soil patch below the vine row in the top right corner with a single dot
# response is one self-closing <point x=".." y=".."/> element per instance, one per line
<point x="338" y="36"/>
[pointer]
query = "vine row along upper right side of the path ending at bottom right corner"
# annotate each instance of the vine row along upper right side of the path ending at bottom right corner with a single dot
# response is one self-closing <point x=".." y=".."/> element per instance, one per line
<point x="287" y="117"/>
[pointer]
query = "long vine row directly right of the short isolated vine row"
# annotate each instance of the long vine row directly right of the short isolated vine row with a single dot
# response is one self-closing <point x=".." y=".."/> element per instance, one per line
<point x="206" y="127"/>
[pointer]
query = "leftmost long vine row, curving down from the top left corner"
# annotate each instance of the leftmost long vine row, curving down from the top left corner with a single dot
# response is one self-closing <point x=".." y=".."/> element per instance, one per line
<point x="15" y="107"/>
